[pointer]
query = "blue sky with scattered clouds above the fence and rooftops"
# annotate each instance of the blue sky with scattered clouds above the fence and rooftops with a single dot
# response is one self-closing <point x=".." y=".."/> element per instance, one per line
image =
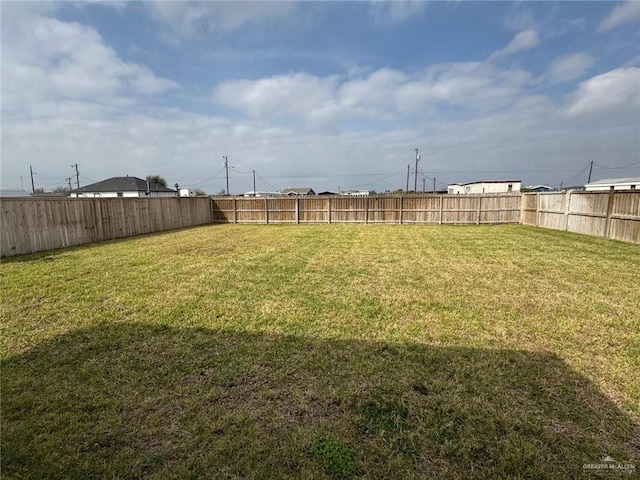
<point x="329" y="95"/>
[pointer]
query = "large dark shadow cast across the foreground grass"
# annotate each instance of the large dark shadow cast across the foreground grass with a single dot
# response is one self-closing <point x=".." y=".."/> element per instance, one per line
<point x="136" y="401"/>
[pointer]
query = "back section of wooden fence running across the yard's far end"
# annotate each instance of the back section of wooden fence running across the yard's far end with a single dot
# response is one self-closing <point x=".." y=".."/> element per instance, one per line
<point x="431" y="209"/>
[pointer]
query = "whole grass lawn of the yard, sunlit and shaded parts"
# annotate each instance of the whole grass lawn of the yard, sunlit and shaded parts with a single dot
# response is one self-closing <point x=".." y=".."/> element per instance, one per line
<point x="323" y="351"/>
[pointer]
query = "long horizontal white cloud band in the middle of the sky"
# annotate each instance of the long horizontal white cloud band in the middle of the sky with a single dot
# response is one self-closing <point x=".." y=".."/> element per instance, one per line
<point x="382" y="95"/>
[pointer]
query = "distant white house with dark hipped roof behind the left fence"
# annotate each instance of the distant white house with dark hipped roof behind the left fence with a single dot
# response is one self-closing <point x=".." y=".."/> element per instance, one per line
<point x="123" y="187"/>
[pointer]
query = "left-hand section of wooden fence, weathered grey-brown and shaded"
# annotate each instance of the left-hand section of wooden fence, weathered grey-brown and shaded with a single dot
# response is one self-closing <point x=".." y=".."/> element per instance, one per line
<point x="36" y="224"/>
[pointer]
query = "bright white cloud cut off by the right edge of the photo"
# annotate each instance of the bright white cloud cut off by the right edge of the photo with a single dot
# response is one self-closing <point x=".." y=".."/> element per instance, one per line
<point x="617" y="89"/>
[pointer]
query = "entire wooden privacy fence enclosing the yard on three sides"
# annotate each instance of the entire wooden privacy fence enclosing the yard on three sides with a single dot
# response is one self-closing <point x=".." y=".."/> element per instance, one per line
<point x="31" y="225"/>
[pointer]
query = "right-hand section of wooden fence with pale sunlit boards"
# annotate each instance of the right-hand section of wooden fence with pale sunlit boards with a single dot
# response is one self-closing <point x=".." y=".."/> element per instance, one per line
<point x="612" y="214"/>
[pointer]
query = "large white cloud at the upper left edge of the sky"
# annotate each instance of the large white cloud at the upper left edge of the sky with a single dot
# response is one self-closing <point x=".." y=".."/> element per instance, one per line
<point x="48" y="60"/>
